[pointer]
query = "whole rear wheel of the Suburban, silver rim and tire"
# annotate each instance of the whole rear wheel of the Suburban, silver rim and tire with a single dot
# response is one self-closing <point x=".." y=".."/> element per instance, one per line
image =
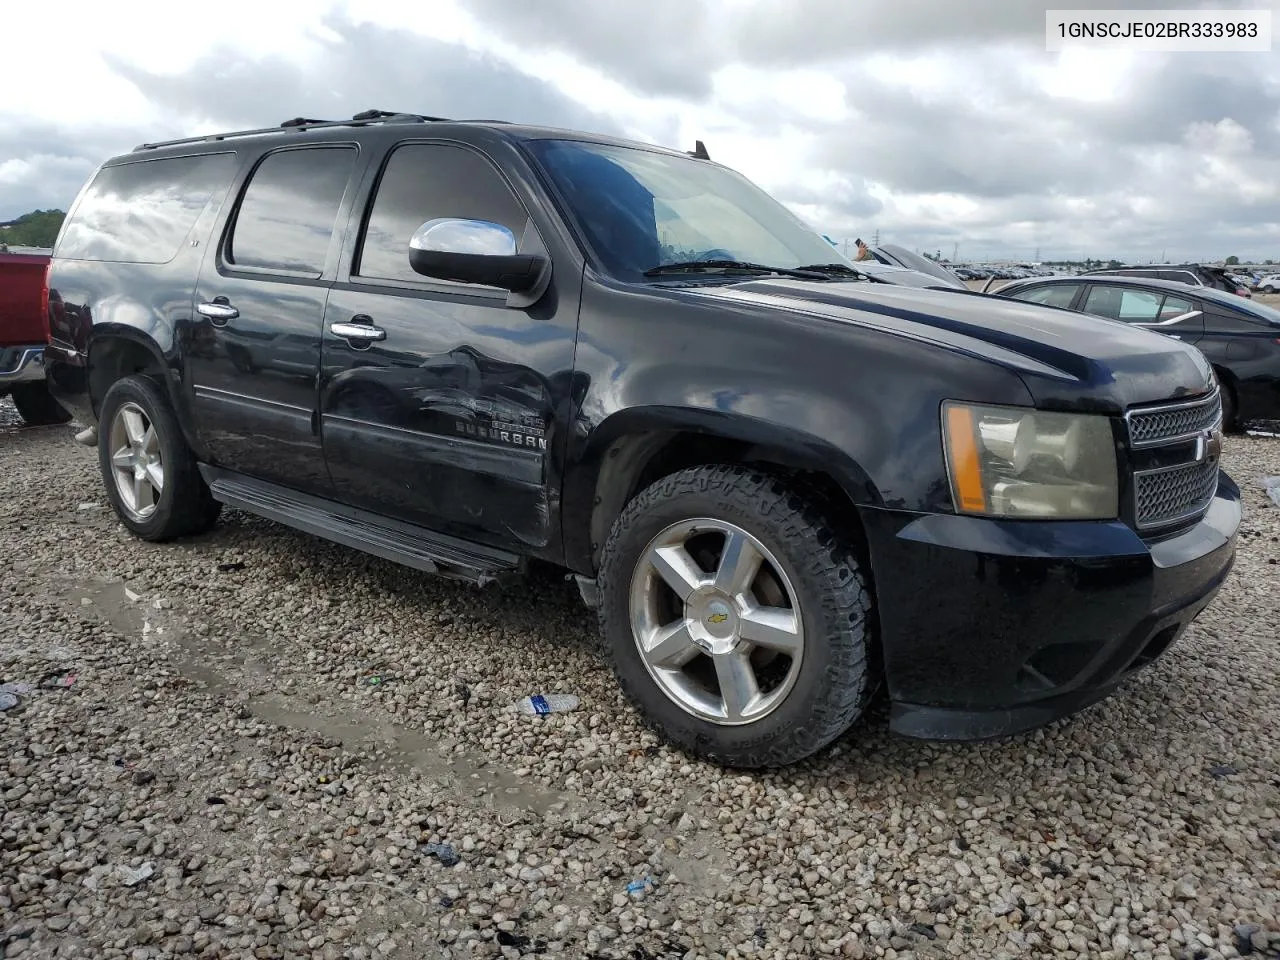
<point x="150" y="472"/>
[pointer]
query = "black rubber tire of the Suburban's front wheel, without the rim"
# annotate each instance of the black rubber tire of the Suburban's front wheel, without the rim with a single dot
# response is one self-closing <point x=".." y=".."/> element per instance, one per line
<point x="835" y="683"/>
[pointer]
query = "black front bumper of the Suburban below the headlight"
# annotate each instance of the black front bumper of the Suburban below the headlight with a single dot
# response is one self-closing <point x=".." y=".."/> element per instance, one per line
<point x="994" y="628"/>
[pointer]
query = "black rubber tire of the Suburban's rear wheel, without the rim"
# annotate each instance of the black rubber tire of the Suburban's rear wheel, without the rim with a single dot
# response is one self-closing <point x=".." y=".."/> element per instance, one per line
<point x="186" y="506"/>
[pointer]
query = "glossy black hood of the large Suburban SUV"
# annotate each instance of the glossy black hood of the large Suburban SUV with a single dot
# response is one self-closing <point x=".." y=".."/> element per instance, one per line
<point x="1067" y="360"/>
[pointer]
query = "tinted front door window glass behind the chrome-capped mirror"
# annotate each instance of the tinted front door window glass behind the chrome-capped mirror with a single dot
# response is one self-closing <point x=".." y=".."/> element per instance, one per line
<point x="423" y="182"/>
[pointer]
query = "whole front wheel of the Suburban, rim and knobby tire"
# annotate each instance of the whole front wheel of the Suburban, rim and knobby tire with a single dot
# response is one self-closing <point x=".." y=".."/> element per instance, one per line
<point x="737" y="618"/>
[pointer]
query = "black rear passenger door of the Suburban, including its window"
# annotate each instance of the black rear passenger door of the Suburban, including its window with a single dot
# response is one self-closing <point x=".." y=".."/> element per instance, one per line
<point x="254" y="351"/>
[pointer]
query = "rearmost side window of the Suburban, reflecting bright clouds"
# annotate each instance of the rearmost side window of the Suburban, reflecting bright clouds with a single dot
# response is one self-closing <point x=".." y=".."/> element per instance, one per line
<point x="141" y="212"/>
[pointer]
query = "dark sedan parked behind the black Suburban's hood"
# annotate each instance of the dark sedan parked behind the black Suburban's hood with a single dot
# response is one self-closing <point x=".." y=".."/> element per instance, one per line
<point x="1240" y="339"/>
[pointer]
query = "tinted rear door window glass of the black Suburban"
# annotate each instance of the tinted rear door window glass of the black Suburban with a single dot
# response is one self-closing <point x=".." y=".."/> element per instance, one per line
<point x="287" y="217"/>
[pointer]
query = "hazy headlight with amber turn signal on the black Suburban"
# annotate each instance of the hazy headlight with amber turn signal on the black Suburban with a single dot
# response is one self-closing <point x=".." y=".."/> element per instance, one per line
<point x="1020" y="463"/>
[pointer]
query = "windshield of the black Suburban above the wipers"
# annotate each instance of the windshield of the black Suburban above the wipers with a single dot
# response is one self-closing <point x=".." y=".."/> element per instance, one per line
<point x="639" y="209"/>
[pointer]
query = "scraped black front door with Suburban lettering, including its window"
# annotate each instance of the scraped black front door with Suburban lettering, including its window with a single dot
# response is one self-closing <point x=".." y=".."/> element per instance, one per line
<point x="441" y="405"/>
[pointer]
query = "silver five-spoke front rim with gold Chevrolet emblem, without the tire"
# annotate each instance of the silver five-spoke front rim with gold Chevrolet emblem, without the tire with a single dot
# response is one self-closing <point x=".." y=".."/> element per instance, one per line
<point x="717" y="621"/>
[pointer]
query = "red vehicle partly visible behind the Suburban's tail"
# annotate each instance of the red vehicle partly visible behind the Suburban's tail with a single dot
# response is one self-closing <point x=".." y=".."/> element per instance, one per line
<point x="24" y="335"/>
